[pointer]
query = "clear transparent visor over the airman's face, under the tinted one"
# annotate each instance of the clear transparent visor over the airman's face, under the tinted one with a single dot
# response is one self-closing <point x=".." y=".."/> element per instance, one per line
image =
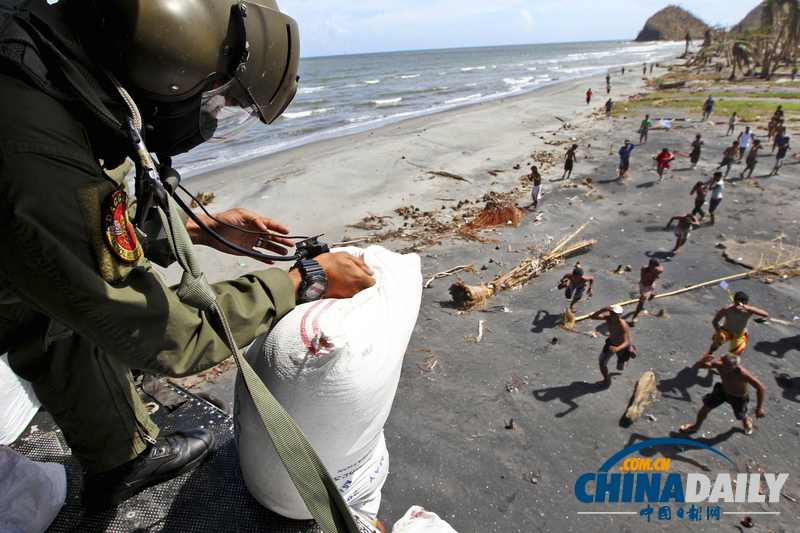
<point x="226" y="111"/>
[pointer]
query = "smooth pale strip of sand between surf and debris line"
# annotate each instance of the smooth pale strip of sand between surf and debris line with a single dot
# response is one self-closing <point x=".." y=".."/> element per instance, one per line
<point x="324" y="186"/>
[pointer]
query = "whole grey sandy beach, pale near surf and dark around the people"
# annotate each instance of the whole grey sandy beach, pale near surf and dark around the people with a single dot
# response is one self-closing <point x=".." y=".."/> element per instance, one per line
<point x="449" y="450"/>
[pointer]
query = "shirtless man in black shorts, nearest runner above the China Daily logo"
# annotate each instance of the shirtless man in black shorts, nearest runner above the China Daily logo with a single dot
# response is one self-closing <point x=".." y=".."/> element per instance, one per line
<point x="732" y="390"/>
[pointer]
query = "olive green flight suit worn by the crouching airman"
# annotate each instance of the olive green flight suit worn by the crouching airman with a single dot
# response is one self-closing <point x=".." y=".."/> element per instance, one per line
<point x="86" y="317"/>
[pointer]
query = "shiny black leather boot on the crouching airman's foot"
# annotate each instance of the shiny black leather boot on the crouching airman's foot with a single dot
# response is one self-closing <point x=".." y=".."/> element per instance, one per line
<point x="169" y="457"/>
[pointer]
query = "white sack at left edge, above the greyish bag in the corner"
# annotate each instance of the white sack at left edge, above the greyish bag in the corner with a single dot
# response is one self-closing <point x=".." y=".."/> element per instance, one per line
<point x="18" y="403"/>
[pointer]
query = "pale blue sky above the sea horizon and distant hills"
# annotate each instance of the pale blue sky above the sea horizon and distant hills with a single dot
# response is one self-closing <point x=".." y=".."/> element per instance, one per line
<point x="339" y="27"/>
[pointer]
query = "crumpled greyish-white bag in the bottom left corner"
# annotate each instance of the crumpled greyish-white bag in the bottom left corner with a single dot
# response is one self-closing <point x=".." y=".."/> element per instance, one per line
<point x="31" y="493"/>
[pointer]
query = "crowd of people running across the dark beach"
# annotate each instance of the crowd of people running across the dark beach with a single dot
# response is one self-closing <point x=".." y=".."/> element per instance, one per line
<point x="730" y="322"/>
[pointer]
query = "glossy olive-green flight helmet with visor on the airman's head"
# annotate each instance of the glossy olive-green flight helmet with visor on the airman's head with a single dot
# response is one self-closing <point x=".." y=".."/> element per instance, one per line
<point x="200" y="70"/>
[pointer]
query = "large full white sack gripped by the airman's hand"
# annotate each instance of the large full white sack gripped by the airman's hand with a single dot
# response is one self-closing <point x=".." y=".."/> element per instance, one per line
<point x="334" y="365"/>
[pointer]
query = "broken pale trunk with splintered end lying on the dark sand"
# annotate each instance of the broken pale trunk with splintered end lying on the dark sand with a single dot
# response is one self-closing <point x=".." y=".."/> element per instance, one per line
<point x="468" y="297"/>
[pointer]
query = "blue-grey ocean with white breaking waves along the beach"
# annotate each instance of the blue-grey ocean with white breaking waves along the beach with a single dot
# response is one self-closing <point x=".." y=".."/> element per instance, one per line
<point x="344" y="94"/>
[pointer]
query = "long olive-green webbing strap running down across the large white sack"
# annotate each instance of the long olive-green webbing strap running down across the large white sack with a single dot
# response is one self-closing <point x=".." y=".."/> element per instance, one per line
<point x="312" y="479"/>
